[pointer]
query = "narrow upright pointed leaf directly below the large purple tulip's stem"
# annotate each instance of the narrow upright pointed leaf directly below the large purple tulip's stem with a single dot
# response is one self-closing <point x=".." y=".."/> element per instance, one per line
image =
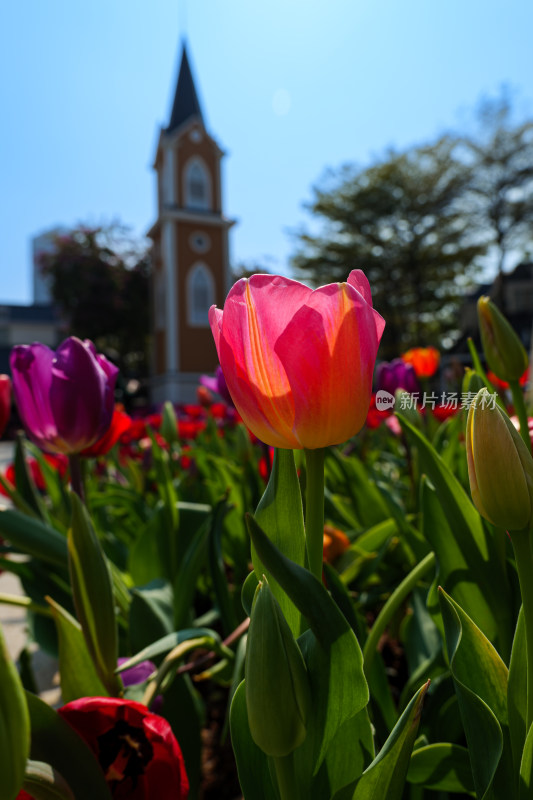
<point x="93" y="596"/>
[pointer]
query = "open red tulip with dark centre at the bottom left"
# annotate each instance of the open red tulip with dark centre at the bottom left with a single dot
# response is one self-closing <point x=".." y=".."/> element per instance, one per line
<point x="136" y="749"/>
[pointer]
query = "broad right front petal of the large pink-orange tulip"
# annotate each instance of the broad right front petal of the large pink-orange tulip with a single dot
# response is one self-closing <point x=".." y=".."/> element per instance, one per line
<point x="328" y="351"/>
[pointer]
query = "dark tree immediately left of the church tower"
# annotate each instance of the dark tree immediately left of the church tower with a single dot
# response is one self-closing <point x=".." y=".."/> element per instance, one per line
<point x="99" y="280"/>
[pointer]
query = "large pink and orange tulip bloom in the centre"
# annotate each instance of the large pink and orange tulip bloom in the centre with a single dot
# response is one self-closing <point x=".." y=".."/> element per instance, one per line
<point x="298" y="363"/>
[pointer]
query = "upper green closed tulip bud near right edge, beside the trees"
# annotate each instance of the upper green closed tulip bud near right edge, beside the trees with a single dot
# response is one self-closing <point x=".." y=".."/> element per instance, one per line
<point x="503" y="349"/>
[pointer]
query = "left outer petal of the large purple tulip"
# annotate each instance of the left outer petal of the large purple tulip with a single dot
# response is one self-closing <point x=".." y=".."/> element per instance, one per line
<point x="31" y="367"/>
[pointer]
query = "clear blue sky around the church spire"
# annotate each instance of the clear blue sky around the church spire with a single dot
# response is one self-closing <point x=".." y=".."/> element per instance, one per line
<point x="288" y="88"/>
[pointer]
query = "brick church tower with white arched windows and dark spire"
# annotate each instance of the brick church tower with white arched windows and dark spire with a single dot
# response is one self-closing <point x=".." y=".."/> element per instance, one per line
<point x="190" y="261"/>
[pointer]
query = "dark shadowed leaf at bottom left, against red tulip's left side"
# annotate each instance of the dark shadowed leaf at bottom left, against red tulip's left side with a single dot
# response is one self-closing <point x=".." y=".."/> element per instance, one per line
<point x="56" y="743"/>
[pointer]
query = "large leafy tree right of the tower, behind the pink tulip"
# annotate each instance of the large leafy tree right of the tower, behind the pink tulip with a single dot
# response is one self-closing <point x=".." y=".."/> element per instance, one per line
<point x="402" y="222"/>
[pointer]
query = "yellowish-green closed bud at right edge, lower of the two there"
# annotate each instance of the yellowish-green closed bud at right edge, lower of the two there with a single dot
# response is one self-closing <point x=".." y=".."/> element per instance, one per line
<point x="500" y="468"/>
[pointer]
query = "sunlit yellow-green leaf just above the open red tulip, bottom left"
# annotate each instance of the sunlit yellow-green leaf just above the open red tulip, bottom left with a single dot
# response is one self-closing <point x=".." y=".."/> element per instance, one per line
<point x="76" y="669"/>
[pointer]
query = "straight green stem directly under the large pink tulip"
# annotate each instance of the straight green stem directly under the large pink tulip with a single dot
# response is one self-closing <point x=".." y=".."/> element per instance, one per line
<point x="314" y="510"/>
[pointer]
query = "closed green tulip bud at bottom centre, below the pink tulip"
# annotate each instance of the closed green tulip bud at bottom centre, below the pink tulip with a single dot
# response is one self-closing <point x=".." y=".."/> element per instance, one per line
<point x="277" y="687"/>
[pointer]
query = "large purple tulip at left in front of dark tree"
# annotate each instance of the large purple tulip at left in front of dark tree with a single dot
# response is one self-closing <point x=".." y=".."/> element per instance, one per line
<point x="65" y="398"/>
